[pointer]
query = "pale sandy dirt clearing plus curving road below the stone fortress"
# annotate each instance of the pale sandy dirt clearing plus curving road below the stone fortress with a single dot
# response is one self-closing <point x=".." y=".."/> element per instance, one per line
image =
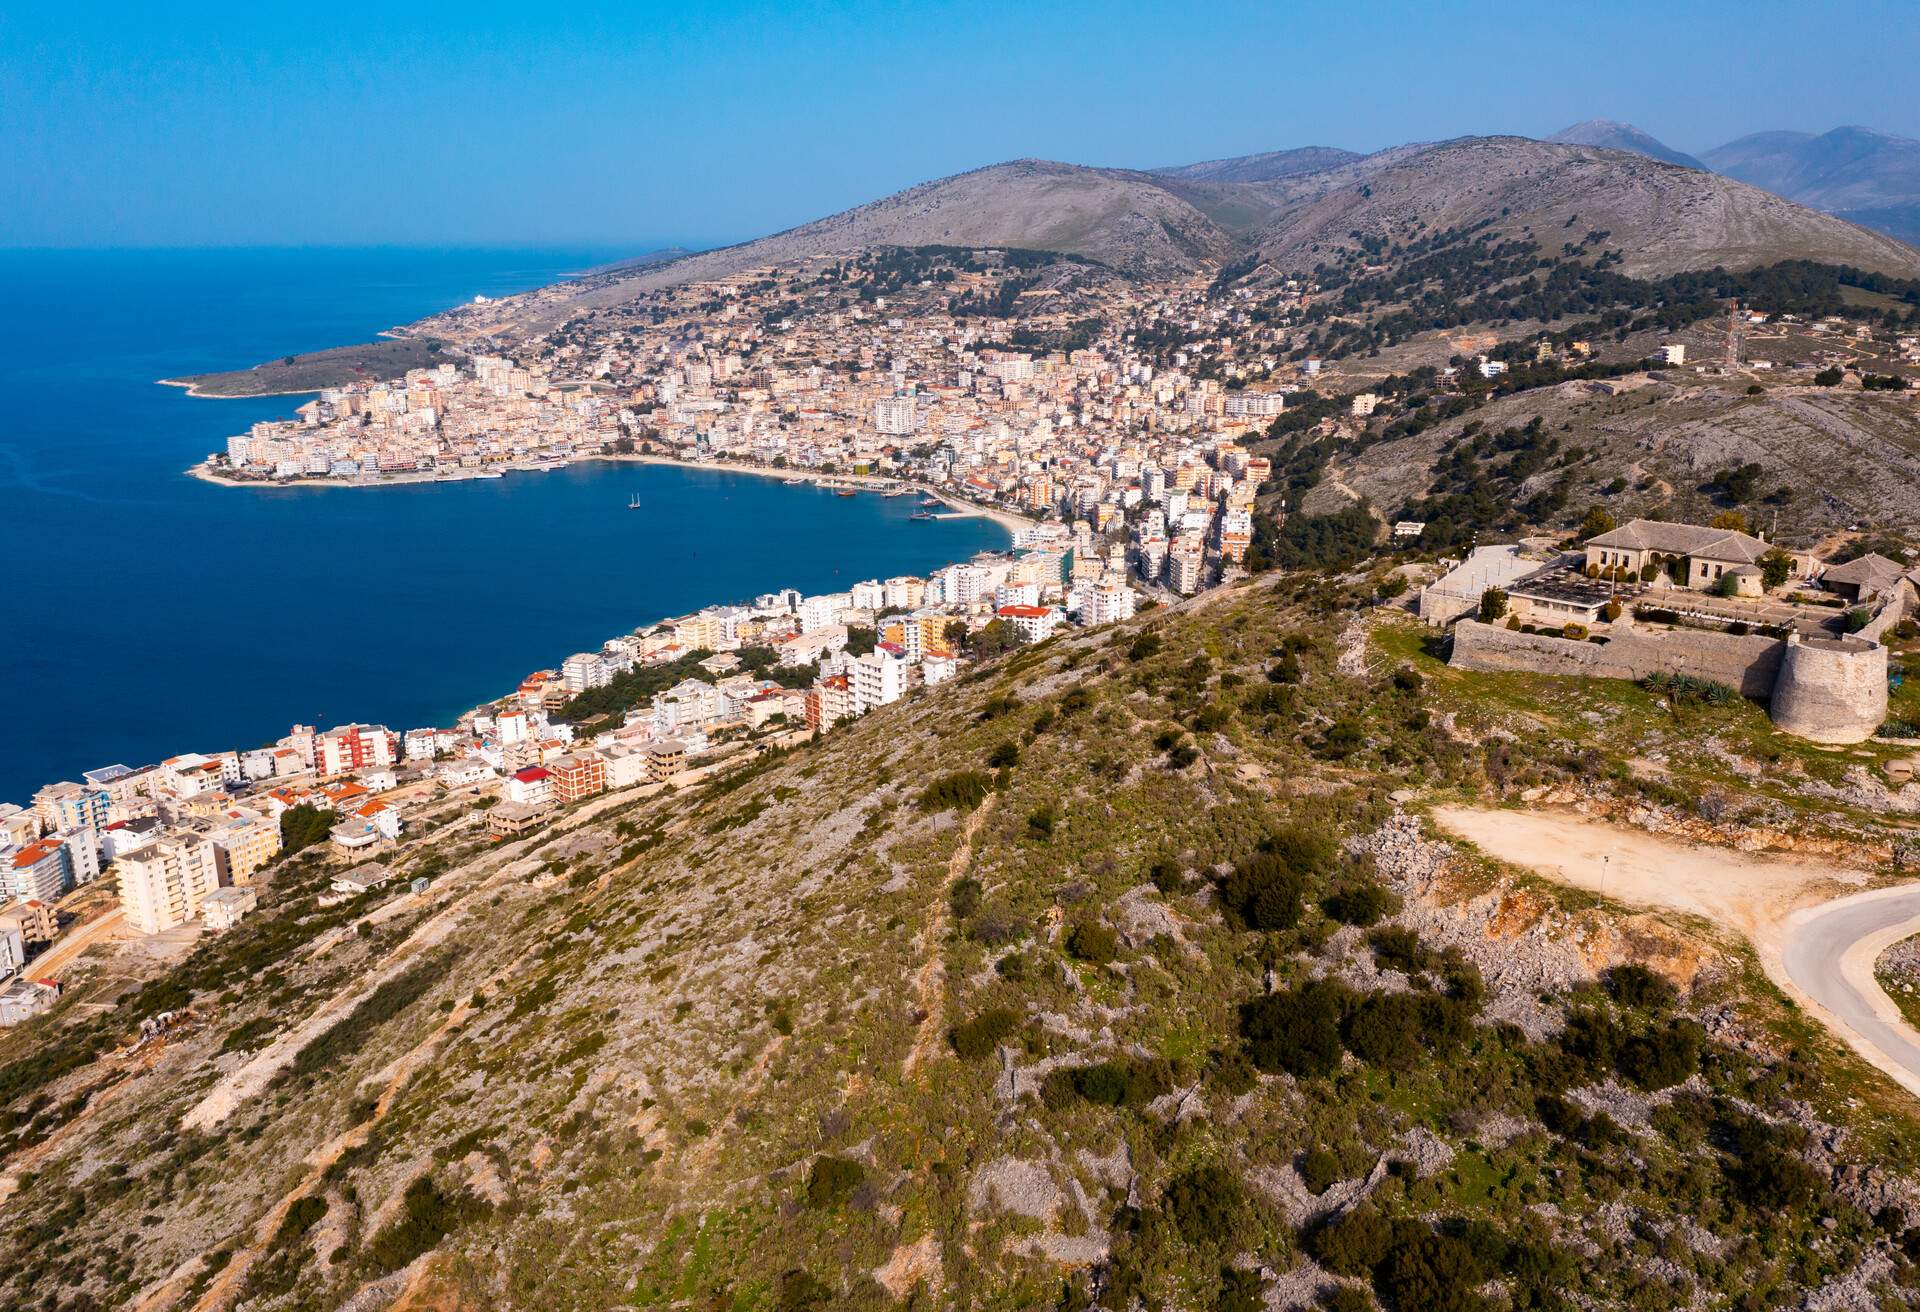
<point x="1815" y="933"/>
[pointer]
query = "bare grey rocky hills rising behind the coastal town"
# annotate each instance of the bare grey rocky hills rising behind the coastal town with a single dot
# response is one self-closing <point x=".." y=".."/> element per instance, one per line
<point x="1289" y="212"/>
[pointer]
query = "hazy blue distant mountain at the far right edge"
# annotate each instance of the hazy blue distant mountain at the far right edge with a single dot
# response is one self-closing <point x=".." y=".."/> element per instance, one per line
<point x="1852" y="172"/>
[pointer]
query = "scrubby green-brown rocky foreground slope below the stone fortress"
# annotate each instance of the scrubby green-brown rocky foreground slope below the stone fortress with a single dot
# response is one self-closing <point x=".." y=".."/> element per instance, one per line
<point x="1118" y="973"/>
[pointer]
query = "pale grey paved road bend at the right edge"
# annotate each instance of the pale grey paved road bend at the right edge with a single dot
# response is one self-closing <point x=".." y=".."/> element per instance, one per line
<point x="1831" y="954"/>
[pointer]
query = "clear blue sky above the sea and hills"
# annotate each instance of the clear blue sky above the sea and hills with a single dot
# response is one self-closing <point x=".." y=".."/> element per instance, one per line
<point x="473" y="124"/>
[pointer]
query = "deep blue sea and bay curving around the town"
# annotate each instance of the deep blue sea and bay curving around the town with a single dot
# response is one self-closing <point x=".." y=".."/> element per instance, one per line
<point x="147" y="614"/>
